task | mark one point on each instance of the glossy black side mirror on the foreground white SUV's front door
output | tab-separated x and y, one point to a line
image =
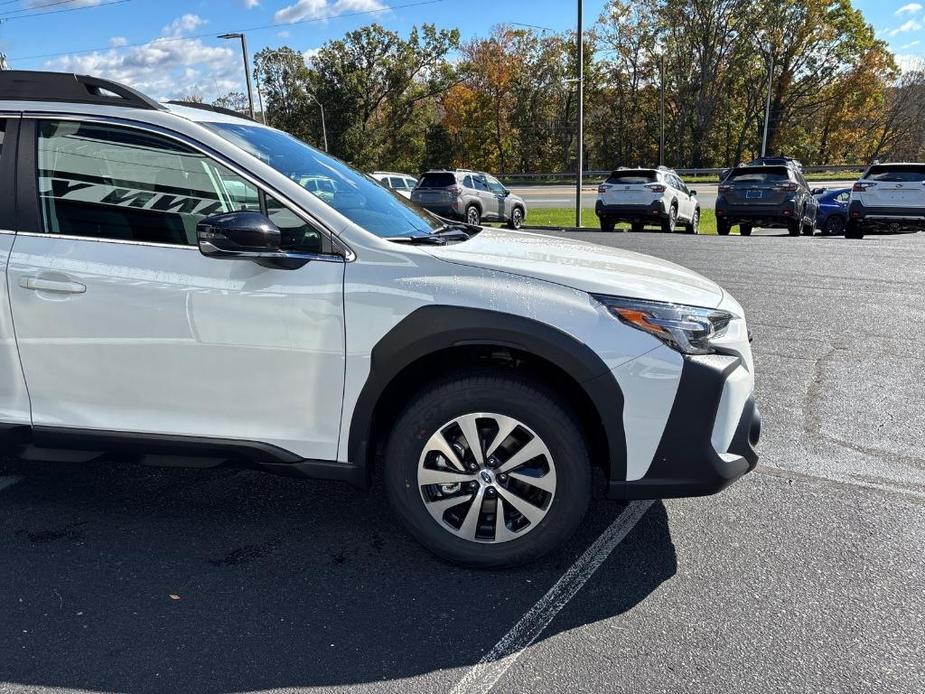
246	235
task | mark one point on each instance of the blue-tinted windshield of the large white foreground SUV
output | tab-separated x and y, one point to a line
356	196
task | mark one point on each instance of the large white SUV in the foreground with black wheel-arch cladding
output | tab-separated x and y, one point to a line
172	290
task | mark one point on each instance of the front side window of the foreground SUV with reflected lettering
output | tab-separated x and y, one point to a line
116	183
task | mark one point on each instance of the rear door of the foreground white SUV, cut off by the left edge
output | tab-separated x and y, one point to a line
14	400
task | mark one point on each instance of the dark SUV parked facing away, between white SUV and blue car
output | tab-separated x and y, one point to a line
776	197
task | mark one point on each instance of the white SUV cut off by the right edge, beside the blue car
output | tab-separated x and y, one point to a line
888	197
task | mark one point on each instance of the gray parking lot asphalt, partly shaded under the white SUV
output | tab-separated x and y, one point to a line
806	575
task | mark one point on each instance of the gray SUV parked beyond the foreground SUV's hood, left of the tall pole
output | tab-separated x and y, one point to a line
472	196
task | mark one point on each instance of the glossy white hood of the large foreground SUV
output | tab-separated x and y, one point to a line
584	266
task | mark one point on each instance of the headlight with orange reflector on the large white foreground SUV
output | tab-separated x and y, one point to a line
688	329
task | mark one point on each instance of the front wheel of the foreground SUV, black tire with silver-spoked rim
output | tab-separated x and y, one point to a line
432	416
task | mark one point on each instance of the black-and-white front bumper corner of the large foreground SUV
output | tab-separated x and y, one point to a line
710	437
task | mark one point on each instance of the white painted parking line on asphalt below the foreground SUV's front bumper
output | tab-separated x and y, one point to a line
486	673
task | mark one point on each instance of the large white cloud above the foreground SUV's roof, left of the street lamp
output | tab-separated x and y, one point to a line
167	67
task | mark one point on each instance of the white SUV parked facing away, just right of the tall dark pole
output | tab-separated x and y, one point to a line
647	197
